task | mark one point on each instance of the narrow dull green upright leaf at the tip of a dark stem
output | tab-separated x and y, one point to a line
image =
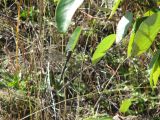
73	39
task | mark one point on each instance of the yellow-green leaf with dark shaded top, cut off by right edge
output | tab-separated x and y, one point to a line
155	69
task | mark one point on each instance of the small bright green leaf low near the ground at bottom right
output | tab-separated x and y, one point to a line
124	107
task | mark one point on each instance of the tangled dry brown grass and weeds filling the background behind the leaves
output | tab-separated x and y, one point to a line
32	56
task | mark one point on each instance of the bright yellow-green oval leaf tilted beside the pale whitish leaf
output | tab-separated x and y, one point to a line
102	48
